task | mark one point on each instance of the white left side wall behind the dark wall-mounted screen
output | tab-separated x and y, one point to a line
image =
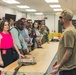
7	10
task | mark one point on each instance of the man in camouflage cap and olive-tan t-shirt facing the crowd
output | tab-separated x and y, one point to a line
66	55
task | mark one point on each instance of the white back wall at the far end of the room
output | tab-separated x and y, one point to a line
51	21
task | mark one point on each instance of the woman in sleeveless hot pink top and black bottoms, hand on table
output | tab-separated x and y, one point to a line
6	45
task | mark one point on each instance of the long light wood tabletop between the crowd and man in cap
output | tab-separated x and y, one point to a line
43	56
